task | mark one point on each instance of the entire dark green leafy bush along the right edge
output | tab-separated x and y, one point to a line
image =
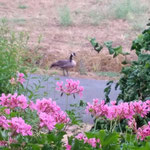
134	83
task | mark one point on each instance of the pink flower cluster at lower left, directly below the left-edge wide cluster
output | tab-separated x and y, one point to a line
18	125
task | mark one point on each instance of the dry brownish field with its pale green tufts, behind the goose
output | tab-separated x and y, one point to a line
66	25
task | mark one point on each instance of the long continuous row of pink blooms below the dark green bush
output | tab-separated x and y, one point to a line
120	111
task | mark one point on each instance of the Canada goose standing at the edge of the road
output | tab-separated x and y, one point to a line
65	64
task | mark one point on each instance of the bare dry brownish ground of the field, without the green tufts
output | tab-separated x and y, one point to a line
58	42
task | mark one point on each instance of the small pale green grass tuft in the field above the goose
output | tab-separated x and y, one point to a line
65	16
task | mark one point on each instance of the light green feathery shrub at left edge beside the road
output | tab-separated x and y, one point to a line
15	56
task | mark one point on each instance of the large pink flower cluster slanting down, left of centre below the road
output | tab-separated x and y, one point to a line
49	113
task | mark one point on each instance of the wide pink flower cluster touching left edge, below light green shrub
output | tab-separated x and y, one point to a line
12	101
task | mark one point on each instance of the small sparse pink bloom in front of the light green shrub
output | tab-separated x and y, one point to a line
20	79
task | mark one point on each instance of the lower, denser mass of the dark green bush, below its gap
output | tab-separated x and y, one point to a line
134	84
